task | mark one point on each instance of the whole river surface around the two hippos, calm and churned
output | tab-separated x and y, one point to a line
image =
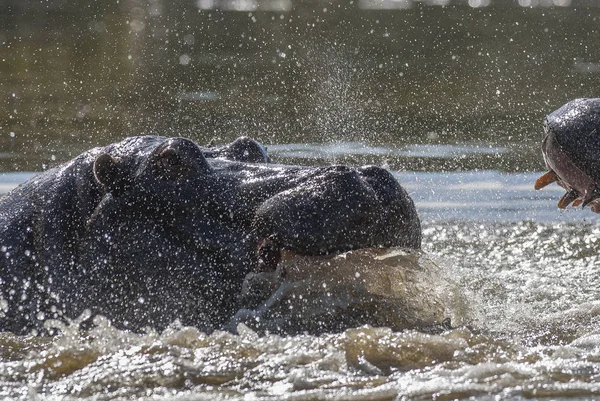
448	95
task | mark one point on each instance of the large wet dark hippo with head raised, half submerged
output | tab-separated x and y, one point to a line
154	230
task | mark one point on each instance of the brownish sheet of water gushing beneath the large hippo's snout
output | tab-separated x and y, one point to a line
396	288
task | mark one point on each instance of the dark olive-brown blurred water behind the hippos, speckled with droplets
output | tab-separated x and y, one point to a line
429	85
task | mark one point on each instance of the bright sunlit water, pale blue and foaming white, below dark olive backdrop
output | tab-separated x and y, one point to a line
530	326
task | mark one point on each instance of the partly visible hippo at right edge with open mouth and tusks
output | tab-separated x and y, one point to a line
571	150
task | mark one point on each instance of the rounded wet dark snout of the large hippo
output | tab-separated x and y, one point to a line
338	209
